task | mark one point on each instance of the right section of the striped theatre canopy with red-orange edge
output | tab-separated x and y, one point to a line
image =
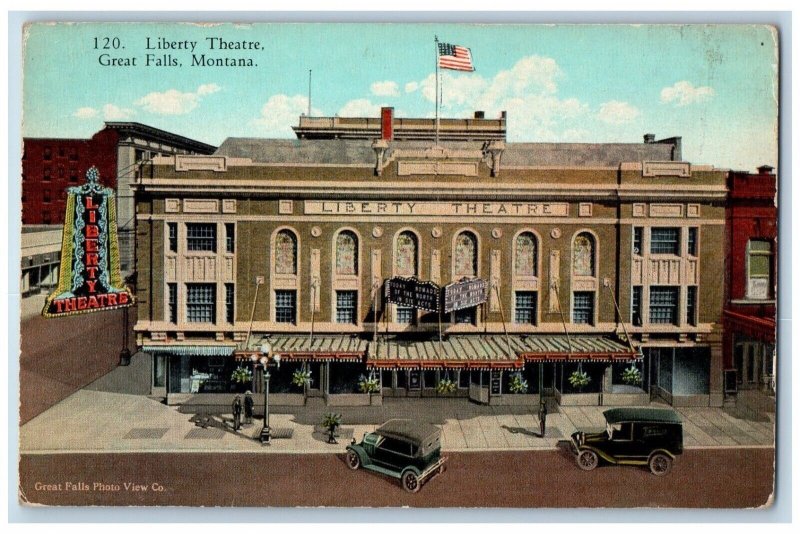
551	348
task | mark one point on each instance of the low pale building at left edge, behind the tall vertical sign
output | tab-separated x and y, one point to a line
40	255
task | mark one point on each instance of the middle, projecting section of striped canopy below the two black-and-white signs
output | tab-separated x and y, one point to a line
466	352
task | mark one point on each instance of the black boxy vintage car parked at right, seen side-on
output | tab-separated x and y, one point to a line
633	436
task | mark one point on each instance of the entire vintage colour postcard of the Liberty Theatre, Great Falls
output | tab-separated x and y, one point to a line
364	265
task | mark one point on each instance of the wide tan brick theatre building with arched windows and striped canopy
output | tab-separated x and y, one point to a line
591	273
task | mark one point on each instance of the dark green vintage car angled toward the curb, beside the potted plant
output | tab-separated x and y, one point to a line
400	448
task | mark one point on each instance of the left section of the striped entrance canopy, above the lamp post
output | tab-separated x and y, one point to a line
318	348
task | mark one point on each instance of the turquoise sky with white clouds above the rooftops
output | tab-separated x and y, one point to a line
716	86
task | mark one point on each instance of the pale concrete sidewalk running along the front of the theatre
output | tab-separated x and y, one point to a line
101	419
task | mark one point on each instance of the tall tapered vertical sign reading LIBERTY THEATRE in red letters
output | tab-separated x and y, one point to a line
89	278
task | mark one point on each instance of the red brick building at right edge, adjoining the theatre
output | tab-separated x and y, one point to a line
749	317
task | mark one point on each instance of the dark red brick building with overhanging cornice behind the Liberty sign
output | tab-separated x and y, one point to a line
50	166
